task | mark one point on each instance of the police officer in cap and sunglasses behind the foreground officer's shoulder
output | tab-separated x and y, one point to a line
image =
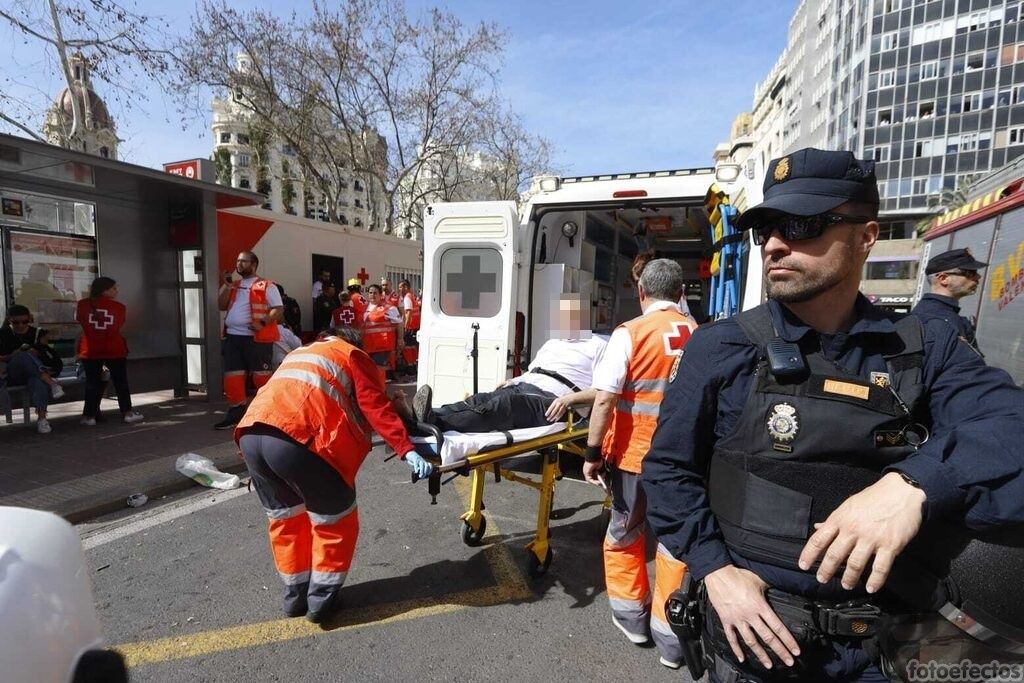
953	276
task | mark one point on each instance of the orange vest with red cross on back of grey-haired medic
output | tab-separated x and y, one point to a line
658	340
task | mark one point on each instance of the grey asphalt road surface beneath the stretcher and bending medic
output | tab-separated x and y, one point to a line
187	590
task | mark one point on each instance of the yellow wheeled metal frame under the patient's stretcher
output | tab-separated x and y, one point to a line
573	440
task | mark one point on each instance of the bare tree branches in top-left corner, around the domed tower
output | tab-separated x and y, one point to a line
120	44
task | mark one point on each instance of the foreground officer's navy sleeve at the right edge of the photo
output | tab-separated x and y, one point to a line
972	467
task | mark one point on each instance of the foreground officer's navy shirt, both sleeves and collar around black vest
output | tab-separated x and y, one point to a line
971	469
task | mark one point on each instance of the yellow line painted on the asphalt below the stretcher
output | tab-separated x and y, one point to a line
509	587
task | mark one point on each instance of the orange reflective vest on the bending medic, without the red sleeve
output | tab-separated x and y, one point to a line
312	399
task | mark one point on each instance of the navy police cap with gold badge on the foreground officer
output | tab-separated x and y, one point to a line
813	182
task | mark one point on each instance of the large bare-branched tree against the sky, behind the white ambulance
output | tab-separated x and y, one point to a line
364	92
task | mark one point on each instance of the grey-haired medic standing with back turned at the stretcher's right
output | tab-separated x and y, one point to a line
630	381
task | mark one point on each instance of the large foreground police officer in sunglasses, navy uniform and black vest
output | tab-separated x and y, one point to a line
802	445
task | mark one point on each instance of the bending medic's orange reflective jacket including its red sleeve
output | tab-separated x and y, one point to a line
316	398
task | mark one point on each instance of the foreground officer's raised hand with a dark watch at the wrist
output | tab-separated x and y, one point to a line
877	523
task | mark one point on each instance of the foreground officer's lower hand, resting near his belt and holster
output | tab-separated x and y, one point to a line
739	597
